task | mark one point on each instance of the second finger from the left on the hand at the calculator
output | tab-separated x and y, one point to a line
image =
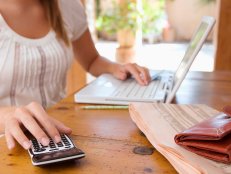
16	132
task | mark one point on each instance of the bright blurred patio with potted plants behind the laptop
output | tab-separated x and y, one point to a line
152	33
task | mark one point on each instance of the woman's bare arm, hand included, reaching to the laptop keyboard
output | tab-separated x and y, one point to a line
91	61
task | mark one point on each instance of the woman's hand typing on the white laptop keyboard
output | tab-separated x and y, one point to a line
141	74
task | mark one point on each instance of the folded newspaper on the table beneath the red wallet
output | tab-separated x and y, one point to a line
161	122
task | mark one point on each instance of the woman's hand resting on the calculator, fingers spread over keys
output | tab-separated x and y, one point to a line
33	118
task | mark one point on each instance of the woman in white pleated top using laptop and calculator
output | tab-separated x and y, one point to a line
37	42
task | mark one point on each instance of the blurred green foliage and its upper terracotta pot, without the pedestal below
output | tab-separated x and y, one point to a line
121	19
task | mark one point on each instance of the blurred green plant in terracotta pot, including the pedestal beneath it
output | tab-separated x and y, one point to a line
124	20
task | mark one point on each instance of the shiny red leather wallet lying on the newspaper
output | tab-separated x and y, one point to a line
210	138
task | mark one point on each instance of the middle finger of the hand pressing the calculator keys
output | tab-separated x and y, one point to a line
25	117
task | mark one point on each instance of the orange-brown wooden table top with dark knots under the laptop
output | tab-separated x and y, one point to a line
108	137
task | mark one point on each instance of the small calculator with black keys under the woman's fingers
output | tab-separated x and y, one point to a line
54	152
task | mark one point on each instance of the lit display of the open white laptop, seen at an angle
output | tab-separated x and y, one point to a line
196	39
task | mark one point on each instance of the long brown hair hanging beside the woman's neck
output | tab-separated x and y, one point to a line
55	19
